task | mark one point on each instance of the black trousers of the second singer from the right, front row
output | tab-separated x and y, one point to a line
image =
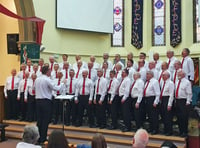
166	115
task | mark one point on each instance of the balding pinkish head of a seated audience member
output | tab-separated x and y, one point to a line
140	139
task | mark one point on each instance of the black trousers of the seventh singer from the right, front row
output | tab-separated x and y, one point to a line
100	112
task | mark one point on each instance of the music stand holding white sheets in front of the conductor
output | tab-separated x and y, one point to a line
64	98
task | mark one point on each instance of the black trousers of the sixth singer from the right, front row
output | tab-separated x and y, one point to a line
115	110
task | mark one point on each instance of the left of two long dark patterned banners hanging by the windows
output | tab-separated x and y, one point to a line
137	22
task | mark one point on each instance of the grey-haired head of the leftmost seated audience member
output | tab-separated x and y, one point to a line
31	134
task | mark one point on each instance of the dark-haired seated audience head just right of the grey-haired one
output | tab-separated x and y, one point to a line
57	140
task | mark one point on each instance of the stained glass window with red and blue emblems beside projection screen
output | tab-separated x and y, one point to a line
117	38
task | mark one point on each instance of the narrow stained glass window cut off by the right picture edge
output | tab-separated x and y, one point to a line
196	5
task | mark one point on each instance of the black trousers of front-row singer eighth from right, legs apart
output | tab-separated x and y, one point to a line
82	105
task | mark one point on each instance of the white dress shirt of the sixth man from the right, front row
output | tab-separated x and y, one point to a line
113	88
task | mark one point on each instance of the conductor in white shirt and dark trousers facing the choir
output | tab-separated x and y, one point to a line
43	91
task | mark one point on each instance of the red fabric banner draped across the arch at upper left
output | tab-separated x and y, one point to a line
39	22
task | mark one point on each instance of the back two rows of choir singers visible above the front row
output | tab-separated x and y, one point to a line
156	65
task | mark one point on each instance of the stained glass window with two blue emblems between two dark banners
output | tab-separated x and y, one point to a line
158	22
